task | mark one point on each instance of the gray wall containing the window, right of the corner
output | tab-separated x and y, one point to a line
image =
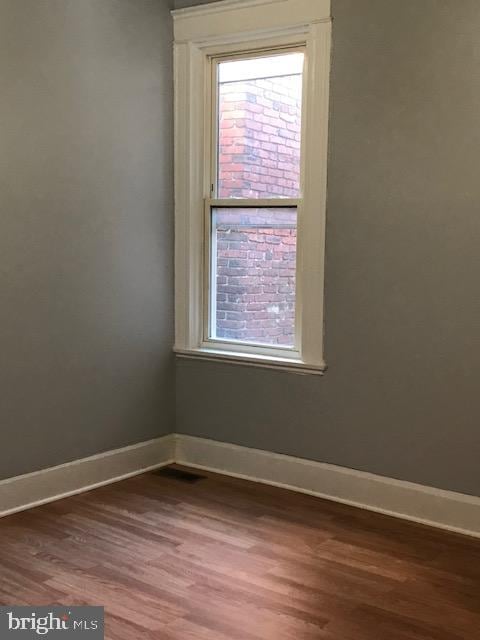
401	395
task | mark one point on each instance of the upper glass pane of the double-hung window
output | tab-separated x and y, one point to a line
259	122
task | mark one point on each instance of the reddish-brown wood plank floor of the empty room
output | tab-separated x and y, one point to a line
225	559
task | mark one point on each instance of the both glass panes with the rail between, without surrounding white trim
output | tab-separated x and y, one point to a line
256	143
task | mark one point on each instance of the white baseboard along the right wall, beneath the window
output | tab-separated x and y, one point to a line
426	505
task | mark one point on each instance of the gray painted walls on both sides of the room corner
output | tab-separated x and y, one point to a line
86	246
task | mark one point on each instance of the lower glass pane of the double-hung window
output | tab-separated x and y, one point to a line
253	275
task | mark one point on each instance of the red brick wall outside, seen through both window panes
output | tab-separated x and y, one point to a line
259	151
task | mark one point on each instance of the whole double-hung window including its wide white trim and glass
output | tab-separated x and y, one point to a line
251	108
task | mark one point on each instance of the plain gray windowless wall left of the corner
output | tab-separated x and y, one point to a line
85	228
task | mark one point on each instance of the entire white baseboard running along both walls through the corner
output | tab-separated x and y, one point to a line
426	505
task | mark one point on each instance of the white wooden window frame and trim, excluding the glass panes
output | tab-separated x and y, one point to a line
243	27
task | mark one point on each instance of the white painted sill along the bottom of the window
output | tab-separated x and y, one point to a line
266	362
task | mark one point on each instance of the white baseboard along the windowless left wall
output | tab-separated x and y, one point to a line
33	489
